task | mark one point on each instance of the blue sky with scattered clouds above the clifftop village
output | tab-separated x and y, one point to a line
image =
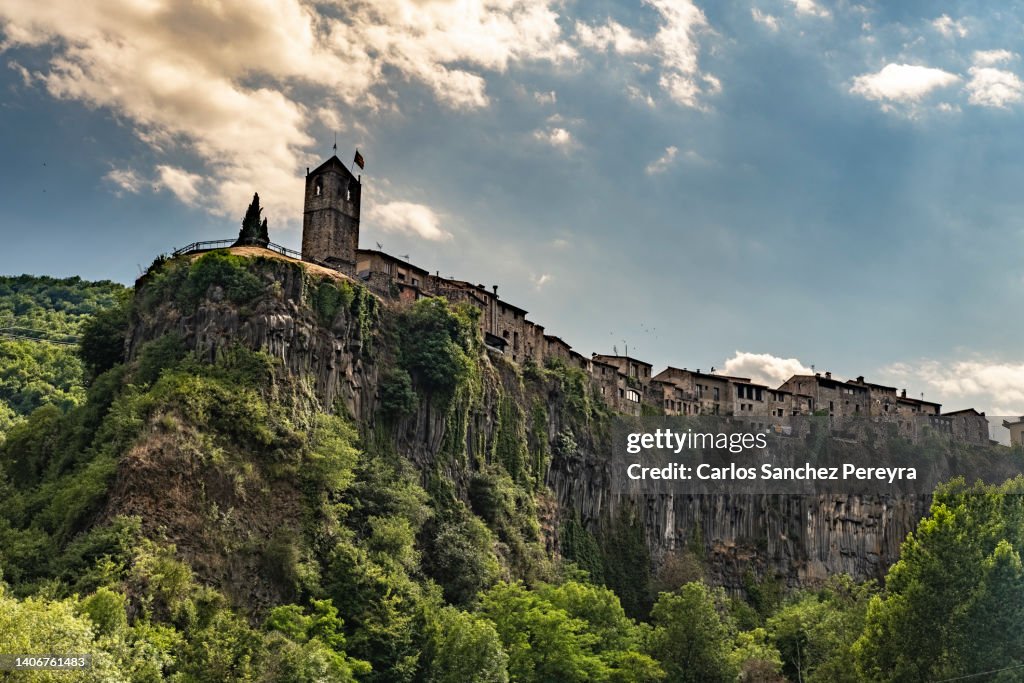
760	188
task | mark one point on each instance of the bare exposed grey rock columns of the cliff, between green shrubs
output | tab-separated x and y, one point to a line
795	540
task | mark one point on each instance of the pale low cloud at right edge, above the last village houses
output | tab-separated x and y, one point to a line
994	387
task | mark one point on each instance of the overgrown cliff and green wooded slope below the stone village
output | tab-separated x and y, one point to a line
274	476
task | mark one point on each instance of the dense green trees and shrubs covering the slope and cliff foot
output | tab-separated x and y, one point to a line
340	559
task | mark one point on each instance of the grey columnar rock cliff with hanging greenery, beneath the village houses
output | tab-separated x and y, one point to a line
550	418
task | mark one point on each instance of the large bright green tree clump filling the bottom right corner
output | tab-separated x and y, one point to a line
952	605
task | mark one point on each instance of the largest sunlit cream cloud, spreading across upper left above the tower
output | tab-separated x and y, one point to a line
232	83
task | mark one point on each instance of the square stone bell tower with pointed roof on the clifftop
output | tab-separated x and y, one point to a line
331	218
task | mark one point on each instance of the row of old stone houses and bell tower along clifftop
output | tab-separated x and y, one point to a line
331	236
